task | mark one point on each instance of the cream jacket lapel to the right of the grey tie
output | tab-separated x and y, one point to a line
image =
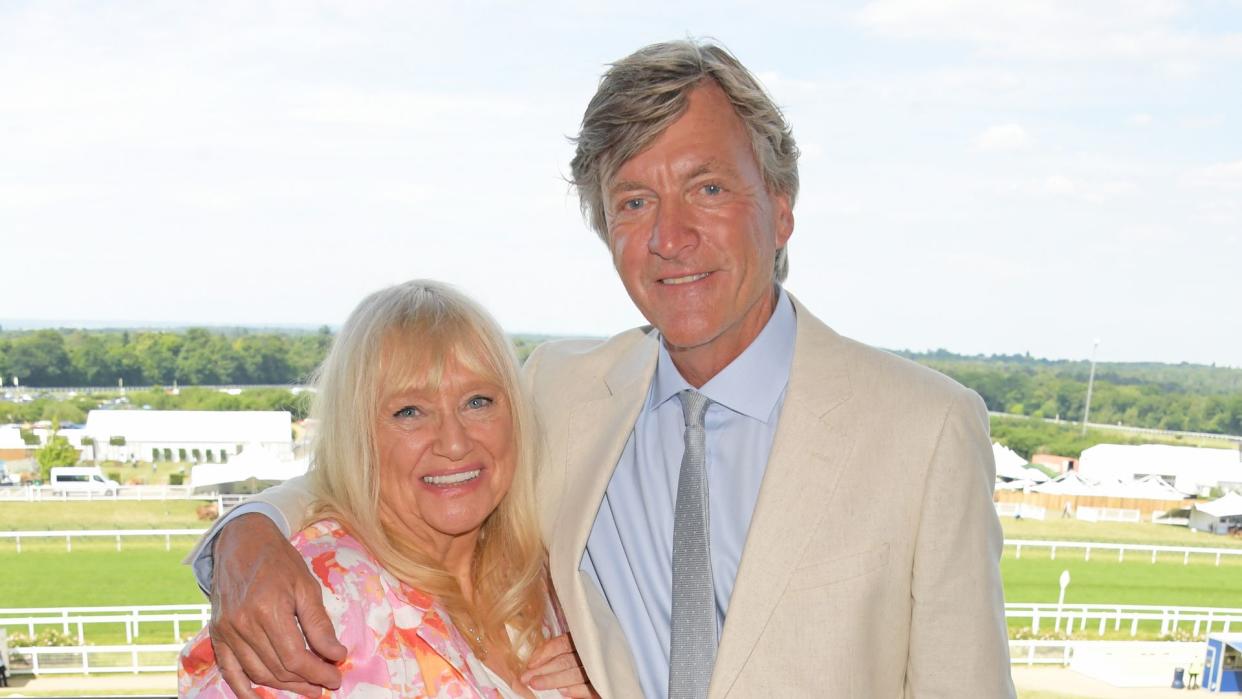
809	451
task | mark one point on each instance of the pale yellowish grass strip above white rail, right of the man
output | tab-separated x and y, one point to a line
1113	532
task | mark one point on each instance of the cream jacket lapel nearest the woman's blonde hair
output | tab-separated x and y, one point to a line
598	429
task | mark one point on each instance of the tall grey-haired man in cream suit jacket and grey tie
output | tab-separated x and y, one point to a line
738	502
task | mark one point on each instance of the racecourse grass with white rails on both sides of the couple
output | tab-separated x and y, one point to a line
95	574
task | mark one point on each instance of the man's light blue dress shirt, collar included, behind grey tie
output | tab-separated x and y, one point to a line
630	551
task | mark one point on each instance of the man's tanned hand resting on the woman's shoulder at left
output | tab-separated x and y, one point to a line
261	587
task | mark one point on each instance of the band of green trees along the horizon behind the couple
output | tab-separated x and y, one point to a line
1166	397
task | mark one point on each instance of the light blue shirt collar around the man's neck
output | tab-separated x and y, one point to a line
751	384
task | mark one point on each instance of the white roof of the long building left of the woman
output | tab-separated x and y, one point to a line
238	428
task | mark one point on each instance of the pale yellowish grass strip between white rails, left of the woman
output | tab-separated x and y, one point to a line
120	515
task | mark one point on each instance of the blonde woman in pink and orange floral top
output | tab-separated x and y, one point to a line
427	544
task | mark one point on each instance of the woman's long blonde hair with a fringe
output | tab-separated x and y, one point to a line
404	336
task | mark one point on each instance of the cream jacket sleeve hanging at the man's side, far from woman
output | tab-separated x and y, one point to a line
958	634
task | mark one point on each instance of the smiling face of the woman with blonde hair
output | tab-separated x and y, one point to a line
446	456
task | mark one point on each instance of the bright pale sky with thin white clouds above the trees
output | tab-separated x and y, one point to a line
1019	177
